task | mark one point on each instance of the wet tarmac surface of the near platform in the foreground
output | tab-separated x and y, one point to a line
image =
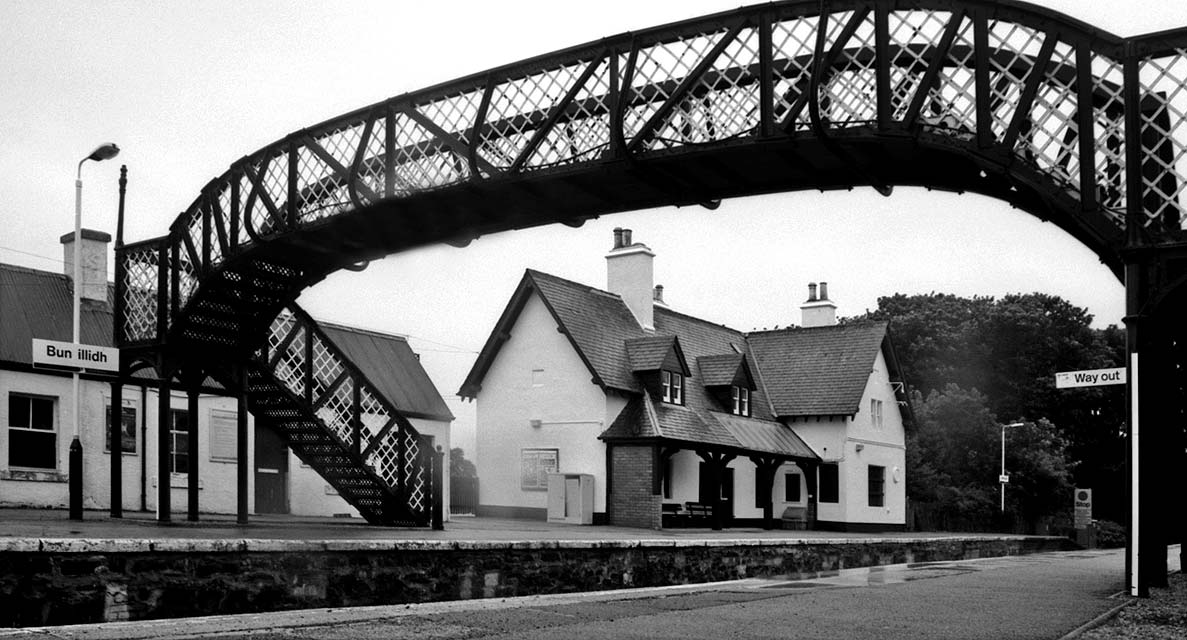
1042	597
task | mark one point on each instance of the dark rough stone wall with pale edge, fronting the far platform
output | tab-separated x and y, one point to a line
62	582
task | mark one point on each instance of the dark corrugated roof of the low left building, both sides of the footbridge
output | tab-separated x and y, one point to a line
40	305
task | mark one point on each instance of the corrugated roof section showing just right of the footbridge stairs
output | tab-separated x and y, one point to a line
396	371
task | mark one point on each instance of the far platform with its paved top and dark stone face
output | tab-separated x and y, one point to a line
60	572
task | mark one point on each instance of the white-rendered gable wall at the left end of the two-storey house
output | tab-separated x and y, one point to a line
538	376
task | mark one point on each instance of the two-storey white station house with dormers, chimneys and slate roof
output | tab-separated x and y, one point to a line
610	407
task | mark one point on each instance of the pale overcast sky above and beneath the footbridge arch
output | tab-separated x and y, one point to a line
188	88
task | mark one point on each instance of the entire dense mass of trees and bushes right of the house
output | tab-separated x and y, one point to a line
974	364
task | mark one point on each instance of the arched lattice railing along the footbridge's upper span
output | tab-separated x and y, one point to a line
645	92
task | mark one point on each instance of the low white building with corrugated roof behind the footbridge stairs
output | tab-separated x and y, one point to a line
36	410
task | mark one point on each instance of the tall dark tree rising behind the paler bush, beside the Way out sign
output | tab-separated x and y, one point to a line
1011	350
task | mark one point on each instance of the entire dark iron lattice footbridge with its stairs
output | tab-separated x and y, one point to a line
1056	117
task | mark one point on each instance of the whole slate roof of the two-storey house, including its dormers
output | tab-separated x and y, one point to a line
807	372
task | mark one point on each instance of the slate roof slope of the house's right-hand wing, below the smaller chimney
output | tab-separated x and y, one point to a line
820	371
